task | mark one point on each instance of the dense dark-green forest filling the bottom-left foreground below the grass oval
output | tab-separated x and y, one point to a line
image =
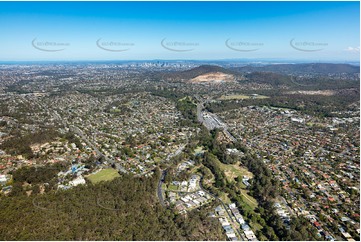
124	209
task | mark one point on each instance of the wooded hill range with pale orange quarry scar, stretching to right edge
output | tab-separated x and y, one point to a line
275	75
